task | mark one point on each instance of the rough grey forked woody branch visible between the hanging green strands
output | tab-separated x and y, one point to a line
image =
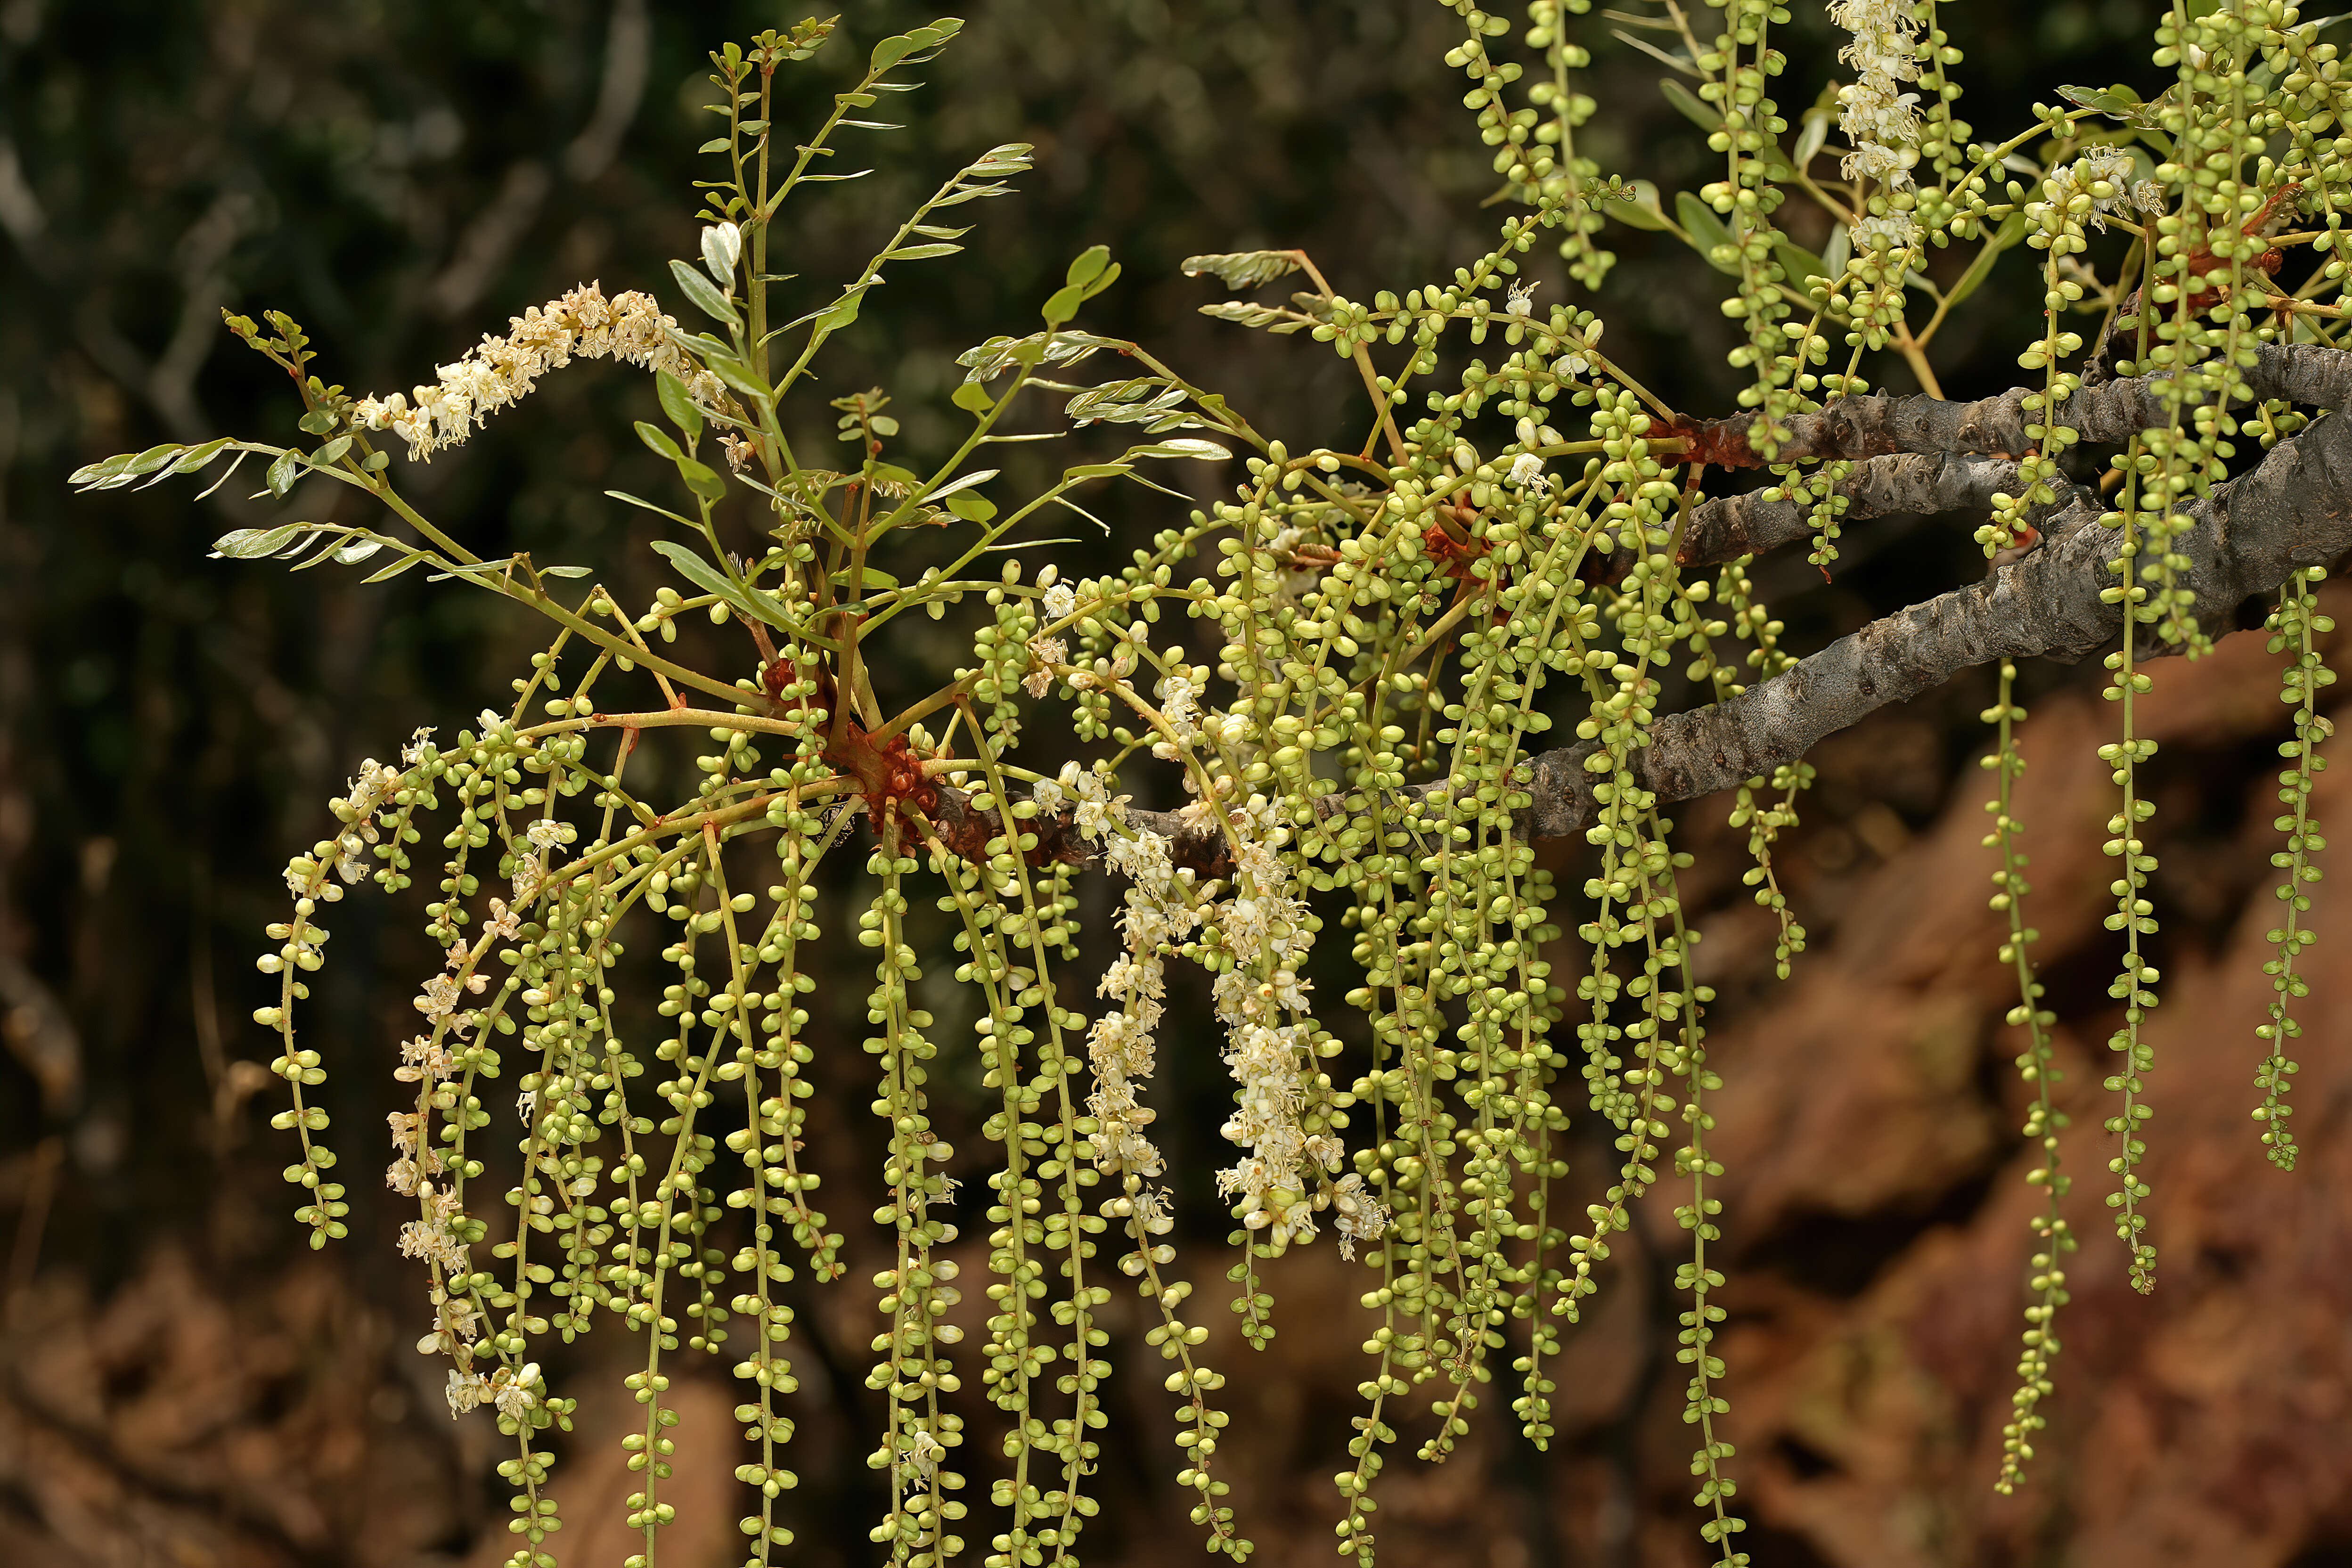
2287	514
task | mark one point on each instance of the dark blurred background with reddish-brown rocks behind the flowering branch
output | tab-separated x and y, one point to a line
185	1383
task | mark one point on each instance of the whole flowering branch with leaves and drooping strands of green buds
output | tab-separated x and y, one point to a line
1368	685
